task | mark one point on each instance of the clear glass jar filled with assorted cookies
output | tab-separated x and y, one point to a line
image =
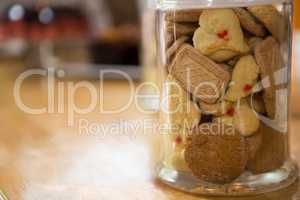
225	95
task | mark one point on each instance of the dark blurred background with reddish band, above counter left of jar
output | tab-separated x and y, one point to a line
78	36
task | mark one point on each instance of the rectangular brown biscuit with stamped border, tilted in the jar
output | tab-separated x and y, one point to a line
198	74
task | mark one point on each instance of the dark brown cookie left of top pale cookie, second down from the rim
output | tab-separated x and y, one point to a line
178	29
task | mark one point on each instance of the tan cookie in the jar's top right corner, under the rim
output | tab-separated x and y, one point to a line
272	19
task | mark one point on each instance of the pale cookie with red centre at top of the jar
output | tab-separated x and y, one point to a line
220	35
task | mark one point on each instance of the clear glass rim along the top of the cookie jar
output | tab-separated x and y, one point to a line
183	4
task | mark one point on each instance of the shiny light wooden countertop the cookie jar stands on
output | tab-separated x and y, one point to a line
42	158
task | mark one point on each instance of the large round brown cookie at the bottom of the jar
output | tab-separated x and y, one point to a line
216	155
